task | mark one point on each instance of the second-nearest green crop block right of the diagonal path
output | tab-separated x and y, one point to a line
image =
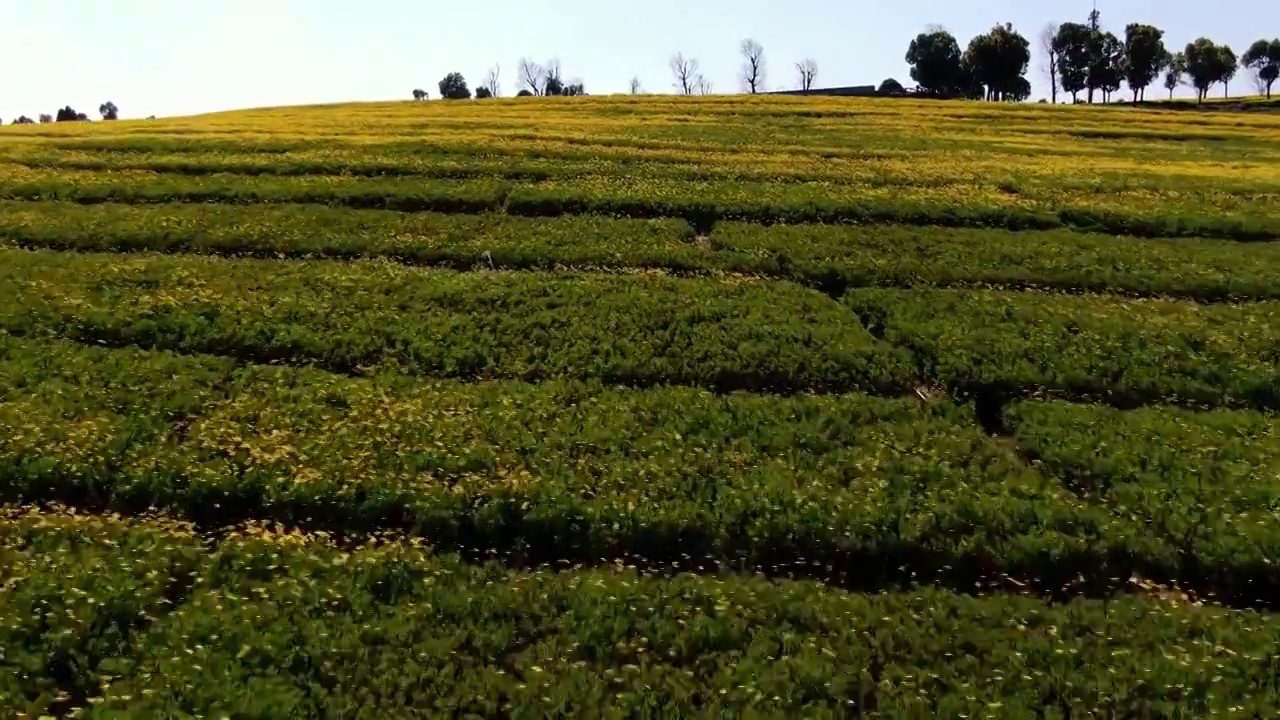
1000	345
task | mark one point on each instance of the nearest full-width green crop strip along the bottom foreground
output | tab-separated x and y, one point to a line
281	626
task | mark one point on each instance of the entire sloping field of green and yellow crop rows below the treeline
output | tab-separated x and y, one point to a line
642	408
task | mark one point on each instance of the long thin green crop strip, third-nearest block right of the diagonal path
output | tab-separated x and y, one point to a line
843	257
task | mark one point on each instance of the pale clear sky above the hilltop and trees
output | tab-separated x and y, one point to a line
186	57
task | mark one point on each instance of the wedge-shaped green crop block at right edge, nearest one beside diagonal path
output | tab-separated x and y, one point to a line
1209	484
